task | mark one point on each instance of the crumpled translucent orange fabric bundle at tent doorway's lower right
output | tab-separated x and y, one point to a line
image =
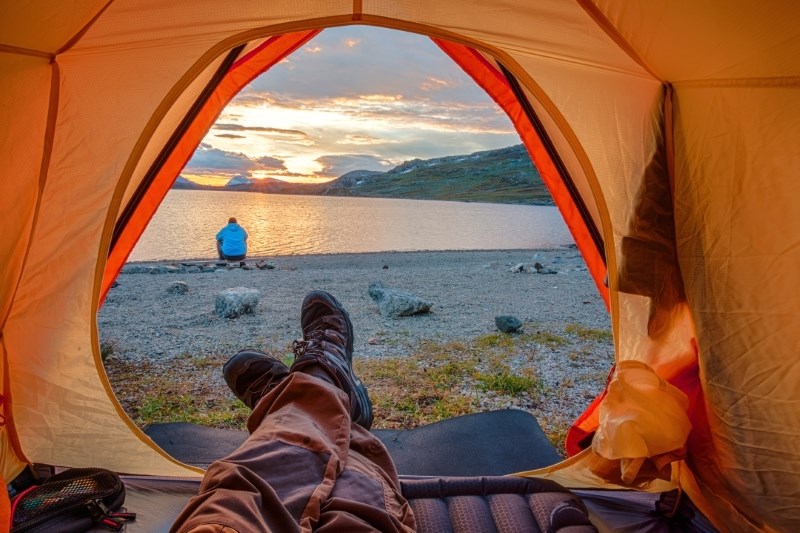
643	426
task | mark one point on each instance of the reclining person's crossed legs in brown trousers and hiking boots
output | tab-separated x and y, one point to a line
306	463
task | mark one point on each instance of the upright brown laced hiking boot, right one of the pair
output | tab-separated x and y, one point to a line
326	351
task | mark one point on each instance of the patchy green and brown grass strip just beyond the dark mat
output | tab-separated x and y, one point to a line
438	380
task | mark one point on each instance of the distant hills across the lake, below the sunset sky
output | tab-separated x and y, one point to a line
498	176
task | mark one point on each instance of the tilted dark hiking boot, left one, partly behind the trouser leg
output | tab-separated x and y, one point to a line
251	374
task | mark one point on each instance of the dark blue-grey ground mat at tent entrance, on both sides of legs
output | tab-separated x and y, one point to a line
482	444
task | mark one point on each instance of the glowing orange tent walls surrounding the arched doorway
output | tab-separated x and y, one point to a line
676	122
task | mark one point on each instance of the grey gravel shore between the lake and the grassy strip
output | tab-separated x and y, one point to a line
141	322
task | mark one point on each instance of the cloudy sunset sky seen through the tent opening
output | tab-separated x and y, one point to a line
352	98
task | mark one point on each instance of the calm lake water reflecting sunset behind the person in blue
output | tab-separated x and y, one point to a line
185	225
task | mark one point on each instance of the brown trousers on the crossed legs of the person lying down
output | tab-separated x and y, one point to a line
305	466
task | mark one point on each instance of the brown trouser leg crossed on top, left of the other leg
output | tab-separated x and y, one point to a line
279	477
